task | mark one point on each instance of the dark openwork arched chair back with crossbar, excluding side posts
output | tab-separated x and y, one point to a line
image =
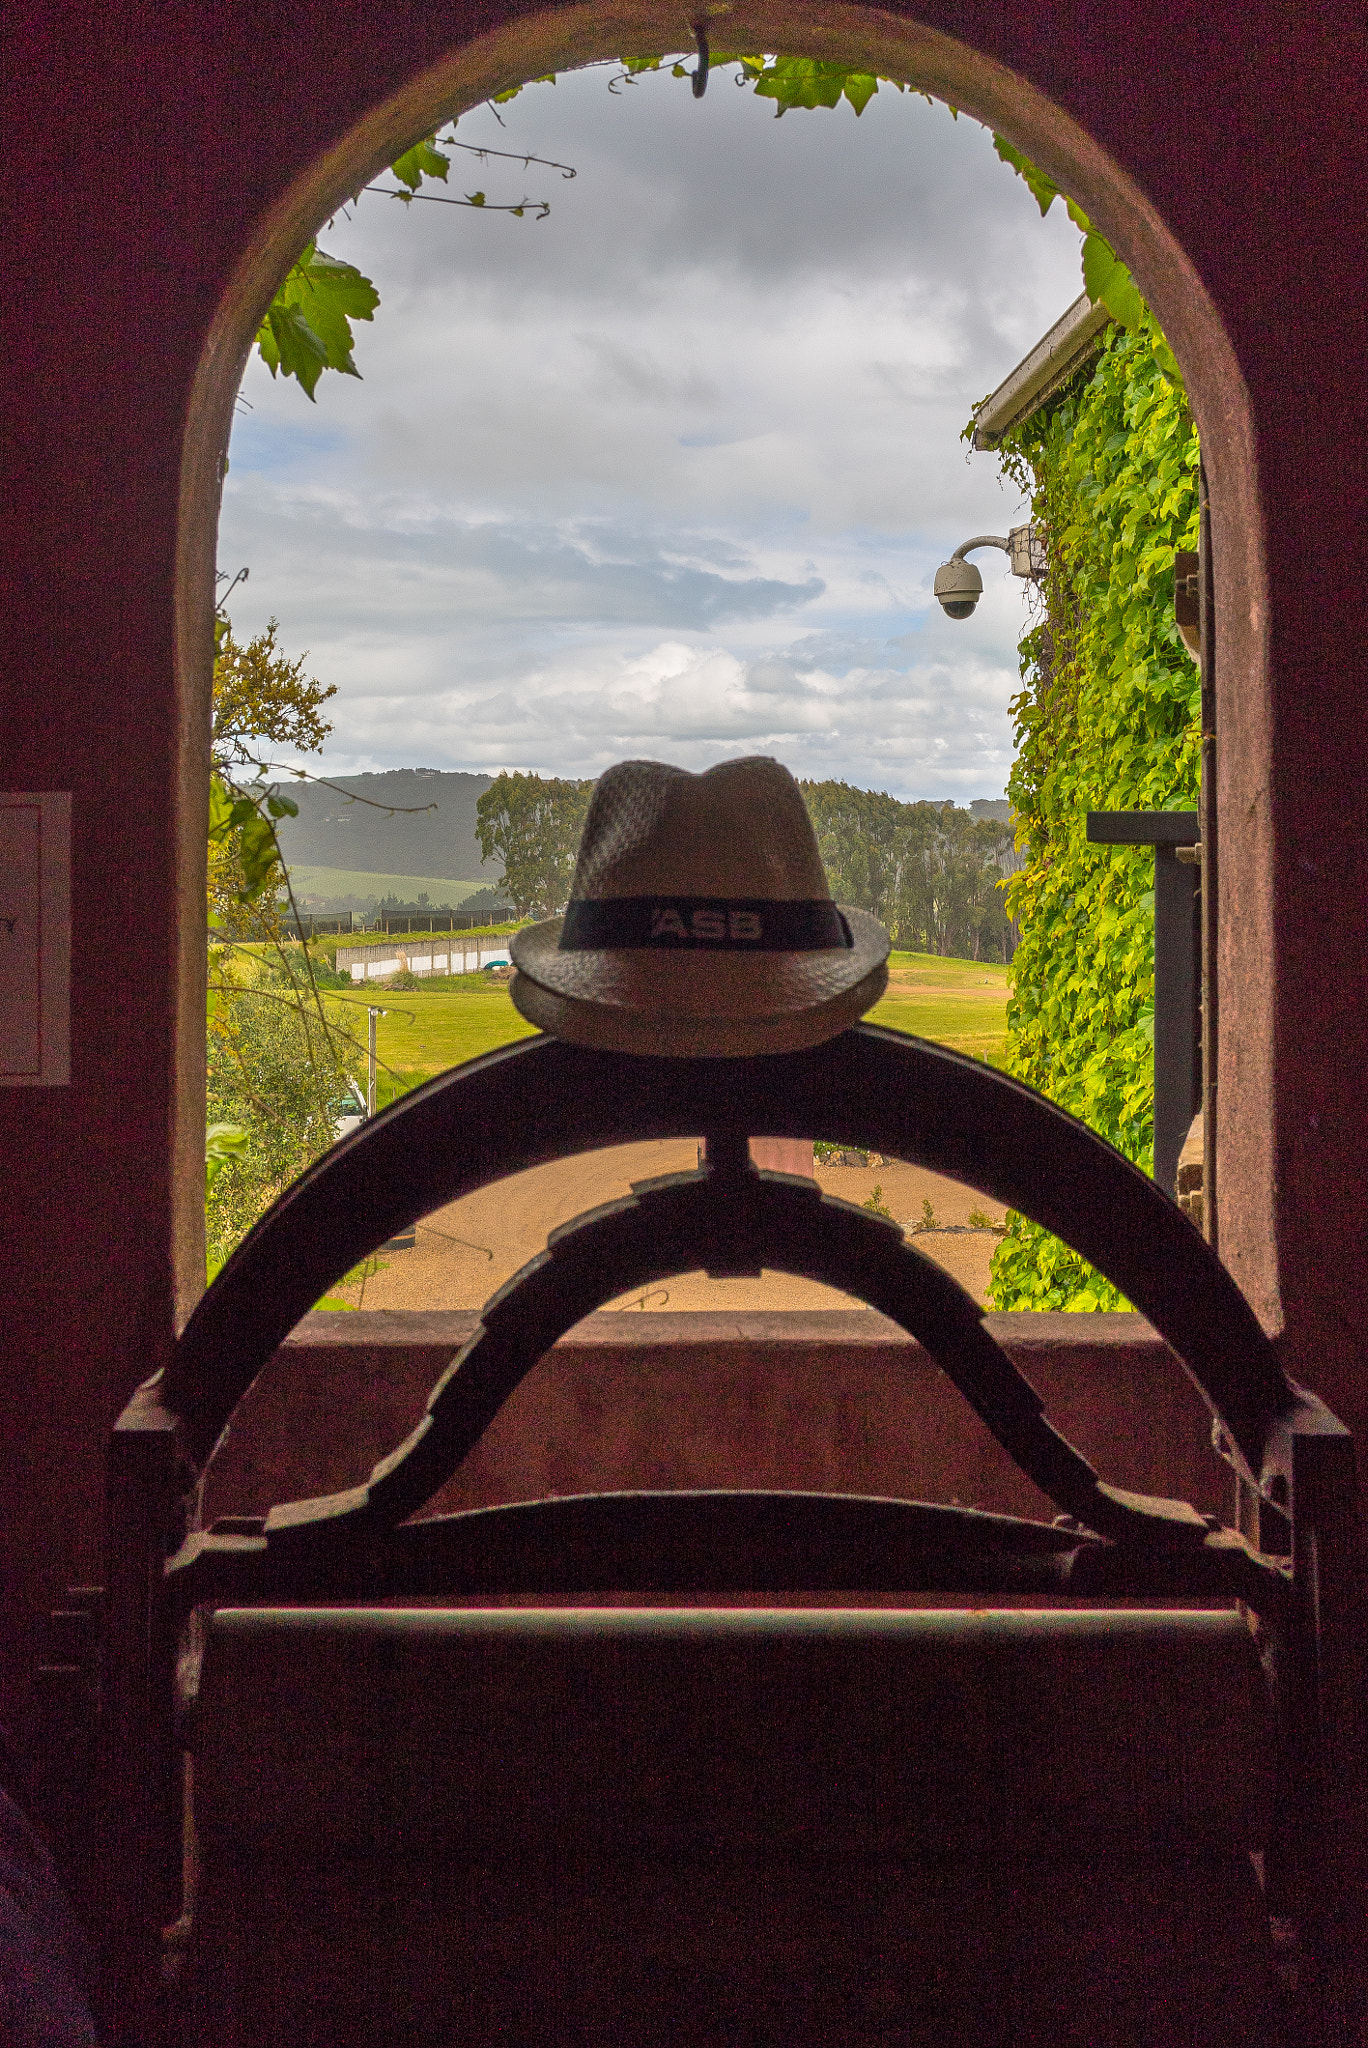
548	1101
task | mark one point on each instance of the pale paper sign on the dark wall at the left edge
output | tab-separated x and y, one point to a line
36	939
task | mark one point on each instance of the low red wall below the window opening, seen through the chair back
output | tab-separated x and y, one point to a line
828	1402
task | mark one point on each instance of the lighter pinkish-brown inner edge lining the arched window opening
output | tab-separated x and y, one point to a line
988	91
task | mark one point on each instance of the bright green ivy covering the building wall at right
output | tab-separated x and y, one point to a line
1107	722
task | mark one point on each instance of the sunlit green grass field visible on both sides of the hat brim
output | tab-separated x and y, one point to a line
454	1019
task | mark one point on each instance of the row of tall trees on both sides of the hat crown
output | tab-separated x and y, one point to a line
929	871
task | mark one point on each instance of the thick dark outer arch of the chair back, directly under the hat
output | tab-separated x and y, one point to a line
544	1101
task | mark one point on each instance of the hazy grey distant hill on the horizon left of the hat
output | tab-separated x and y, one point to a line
435	843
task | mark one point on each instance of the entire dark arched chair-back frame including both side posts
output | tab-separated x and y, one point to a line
546	1101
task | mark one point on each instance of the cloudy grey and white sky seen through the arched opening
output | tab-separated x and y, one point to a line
667	474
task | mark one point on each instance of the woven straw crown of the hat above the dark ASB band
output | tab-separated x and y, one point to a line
736	830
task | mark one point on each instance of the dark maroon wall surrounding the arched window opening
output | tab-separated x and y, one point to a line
142	151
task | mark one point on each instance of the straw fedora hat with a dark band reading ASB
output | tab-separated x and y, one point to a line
699	923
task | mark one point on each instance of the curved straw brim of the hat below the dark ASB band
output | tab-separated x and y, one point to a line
697	1002
